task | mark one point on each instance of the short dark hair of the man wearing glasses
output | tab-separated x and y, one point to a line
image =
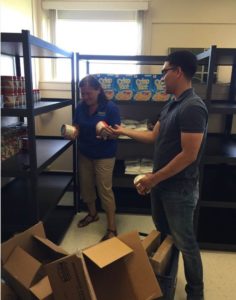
184	59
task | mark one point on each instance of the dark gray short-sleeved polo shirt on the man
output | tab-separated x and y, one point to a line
187	113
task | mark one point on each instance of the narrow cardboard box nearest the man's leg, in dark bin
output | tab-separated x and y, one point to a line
161	259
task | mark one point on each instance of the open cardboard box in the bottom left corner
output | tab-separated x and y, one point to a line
23	259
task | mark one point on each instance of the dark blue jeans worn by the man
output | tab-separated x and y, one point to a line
172	213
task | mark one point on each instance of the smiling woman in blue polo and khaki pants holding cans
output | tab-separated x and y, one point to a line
96	154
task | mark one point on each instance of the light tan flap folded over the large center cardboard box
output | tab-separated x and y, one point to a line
107	252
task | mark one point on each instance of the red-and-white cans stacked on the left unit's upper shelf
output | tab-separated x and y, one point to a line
13	91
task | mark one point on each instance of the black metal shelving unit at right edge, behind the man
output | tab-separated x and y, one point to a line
217	208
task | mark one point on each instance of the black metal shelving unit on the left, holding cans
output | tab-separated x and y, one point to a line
33	193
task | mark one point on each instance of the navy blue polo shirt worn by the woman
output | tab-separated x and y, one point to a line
89	145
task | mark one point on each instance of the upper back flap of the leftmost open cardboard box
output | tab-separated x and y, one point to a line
24	240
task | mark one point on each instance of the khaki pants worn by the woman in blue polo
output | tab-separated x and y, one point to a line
97	173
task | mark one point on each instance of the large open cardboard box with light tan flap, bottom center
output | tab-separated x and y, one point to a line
116	269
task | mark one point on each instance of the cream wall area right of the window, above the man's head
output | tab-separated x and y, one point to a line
189	23
